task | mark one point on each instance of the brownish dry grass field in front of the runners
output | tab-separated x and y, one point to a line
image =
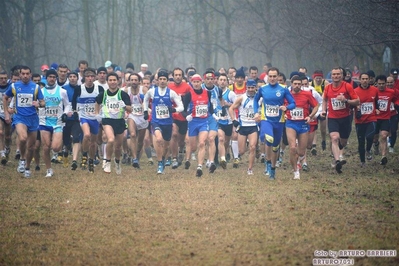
228	218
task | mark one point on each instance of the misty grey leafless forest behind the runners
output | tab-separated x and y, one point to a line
317	34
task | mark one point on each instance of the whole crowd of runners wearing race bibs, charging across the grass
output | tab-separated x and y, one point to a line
105	116
